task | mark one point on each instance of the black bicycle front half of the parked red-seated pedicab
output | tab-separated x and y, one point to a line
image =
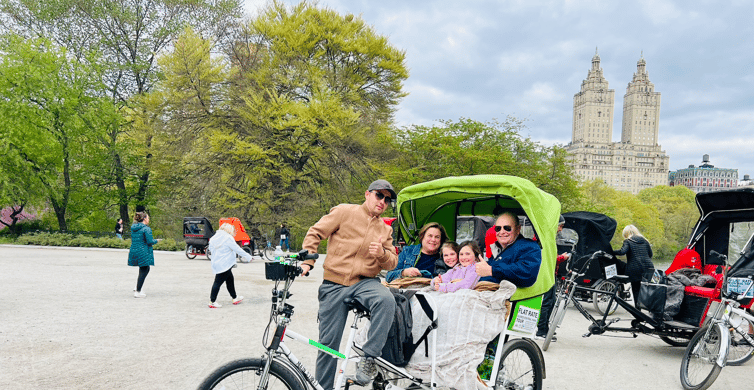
674	333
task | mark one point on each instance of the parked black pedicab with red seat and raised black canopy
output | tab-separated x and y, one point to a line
725	225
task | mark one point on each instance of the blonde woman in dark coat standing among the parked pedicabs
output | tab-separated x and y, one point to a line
638	253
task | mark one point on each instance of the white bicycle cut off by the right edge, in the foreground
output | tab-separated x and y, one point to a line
727	339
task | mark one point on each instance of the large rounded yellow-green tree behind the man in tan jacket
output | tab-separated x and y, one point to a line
310	91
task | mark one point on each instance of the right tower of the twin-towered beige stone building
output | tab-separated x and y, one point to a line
641	109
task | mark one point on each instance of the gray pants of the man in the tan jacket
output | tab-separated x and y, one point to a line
333	315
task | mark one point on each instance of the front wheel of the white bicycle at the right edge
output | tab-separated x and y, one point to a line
698	366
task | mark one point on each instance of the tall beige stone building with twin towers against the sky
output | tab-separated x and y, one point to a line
637	161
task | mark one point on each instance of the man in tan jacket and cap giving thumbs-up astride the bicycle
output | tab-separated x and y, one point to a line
359	246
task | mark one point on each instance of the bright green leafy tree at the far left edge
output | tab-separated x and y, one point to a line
47	112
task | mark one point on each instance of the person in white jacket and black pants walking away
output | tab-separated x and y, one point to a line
224	249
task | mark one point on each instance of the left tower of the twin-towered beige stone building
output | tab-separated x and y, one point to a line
593	107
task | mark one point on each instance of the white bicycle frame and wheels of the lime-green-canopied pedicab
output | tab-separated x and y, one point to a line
278	367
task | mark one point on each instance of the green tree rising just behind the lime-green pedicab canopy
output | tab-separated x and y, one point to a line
469	147
